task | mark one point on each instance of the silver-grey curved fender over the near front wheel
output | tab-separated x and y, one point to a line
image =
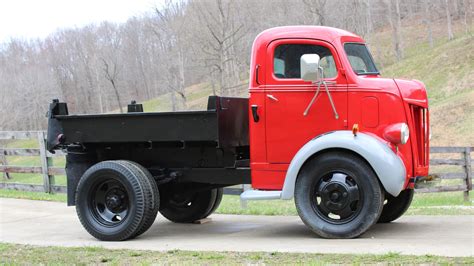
386	164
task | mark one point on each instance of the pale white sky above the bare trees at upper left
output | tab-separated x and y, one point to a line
38	18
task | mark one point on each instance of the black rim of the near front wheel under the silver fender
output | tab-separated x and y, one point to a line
336	197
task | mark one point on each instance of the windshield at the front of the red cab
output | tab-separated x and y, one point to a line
360	59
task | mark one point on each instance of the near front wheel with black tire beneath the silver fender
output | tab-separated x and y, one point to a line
338	195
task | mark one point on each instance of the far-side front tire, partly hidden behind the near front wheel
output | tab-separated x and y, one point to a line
395	207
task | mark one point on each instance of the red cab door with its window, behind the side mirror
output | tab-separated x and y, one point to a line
287	97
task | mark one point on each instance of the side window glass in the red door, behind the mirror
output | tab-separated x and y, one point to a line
286	60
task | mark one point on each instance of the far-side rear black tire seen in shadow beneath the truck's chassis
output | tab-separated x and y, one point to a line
187	208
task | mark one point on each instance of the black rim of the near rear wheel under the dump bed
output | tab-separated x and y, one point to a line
109	201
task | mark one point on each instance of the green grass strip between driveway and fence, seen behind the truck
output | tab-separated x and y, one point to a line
448	203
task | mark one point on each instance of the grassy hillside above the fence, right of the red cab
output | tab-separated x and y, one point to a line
447	70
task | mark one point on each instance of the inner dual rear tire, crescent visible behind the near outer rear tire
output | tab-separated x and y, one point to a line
152	211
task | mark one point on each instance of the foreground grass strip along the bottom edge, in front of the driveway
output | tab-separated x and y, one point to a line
12	254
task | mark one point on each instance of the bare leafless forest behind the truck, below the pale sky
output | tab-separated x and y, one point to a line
100	68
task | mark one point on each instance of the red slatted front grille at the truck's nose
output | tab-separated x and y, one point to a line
421	134
